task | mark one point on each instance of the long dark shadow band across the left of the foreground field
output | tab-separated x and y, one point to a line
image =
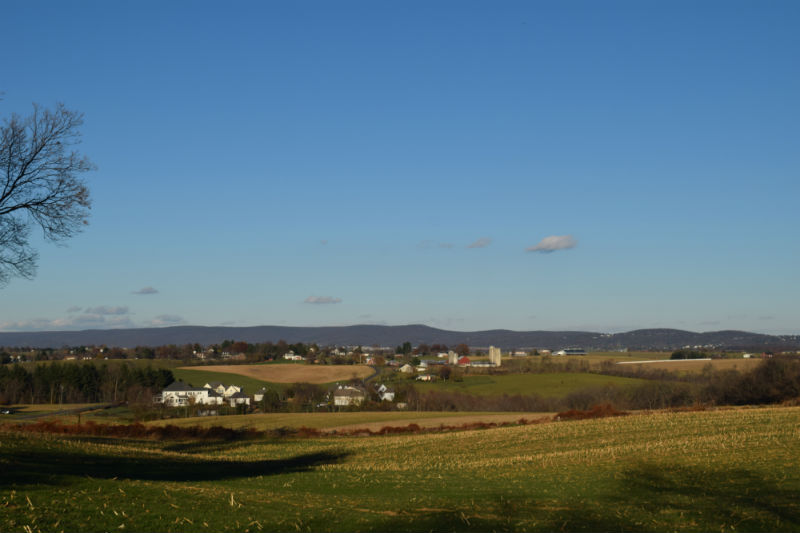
26	467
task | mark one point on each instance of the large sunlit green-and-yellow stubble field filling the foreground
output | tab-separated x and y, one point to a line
724	470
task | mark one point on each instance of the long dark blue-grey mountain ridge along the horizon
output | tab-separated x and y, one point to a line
369	335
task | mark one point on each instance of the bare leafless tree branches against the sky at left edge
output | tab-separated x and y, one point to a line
40	185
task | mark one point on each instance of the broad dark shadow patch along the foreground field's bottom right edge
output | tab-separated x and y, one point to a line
644	497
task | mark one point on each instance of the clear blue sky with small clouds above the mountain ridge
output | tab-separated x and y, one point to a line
335	163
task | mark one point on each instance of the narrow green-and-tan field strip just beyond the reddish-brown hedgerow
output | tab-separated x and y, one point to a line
372	420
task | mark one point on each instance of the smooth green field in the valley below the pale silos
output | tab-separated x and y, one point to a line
554	385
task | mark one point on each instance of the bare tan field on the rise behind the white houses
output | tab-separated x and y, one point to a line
289	373
